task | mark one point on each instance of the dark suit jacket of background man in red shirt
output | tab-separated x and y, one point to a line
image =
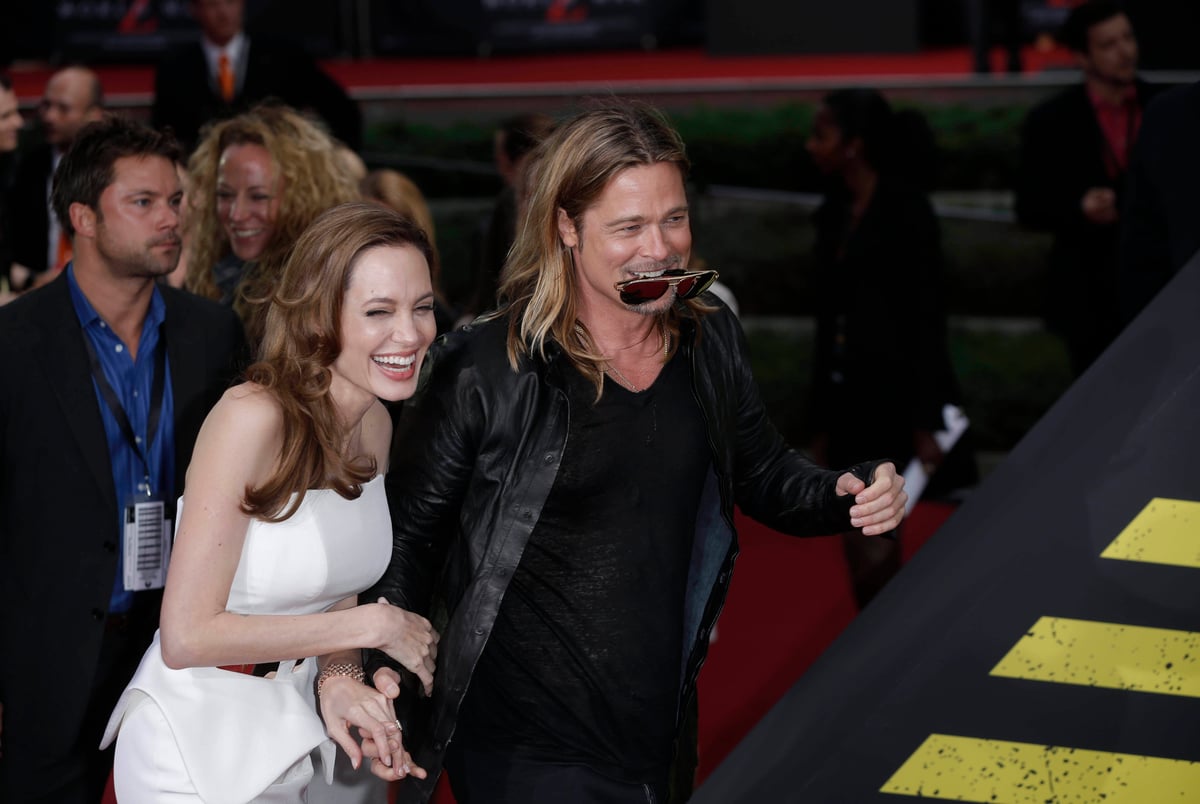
1063	157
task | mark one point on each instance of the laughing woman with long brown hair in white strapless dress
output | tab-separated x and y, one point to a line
284	523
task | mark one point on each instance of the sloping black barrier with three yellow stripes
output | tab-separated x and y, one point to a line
1045	645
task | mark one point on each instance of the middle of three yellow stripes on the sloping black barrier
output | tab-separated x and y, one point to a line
1107	655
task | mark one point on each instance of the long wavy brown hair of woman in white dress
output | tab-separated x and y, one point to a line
302	340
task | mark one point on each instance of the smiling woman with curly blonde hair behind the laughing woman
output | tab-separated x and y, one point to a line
259	181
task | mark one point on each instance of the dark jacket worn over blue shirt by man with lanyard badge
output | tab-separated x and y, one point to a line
59	512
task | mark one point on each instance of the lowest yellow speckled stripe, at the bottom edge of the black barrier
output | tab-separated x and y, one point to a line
970	770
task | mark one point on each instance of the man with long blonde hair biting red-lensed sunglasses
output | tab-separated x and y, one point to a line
568	481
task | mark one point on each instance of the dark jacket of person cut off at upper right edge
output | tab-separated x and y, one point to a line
1161	223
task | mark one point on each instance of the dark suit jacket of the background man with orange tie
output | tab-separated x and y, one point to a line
185	97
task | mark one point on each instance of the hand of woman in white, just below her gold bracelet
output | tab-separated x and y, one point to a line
346	704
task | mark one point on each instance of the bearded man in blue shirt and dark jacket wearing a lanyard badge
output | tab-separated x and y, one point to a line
109	377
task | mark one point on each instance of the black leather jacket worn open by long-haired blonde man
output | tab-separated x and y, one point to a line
476	458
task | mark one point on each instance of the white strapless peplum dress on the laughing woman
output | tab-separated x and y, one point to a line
211	735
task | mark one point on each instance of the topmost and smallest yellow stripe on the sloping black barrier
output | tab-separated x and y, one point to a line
1166	532
